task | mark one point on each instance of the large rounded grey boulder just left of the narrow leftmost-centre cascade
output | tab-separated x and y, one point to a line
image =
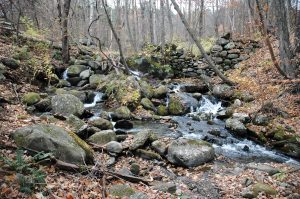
66	105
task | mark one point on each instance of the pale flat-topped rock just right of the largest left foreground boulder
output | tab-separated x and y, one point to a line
103	137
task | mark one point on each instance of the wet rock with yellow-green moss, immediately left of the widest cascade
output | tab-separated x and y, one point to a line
181	103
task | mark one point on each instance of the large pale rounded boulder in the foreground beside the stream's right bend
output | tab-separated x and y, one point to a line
190	153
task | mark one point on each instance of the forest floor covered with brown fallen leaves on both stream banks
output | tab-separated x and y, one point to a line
221	179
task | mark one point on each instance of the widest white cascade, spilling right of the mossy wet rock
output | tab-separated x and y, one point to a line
208	107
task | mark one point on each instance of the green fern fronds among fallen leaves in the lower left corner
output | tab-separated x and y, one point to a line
28	177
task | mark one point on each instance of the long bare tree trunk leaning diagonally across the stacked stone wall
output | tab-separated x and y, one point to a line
207	58
